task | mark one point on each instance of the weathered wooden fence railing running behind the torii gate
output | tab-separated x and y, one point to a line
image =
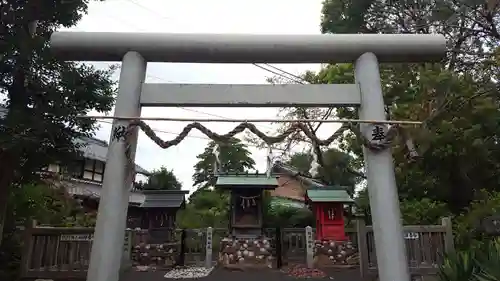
64	253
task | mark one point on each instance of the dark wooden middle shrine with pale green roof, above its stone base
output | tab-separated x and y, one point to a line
246	202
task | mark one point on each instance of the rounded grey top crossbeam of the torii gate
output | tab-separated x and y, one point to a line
240	48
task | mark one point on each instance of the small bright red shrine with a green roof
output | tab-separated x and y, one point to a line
327	204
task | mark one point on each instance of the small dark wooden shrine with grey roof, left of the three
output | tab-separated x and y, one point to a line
159	209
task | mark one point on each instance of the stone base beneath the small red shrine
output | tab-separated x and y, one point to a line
330	253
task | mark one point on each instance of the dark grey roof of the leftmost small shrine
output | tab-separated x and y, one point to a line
164	198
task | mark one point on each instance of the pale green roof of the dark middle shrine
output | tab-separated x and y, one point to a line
247	181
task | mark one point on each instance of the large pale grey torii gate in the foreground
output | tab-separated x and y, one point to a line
134	50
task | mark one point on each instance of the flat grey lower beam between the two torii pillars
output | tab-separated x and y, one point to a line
222	95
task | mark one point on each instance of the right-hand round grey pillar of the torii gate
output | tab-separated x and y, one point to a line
380	177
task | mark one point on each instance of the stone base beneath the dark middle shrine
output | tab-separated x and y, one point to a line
245	254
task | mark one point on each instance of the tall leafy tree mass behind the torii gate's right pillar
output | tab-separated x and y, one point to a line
458	100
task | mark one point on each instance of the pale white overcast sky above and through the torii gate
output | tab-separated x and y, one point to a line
200	16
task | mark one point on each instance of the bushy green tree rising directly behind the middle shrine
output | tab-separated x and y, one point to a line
234	158
